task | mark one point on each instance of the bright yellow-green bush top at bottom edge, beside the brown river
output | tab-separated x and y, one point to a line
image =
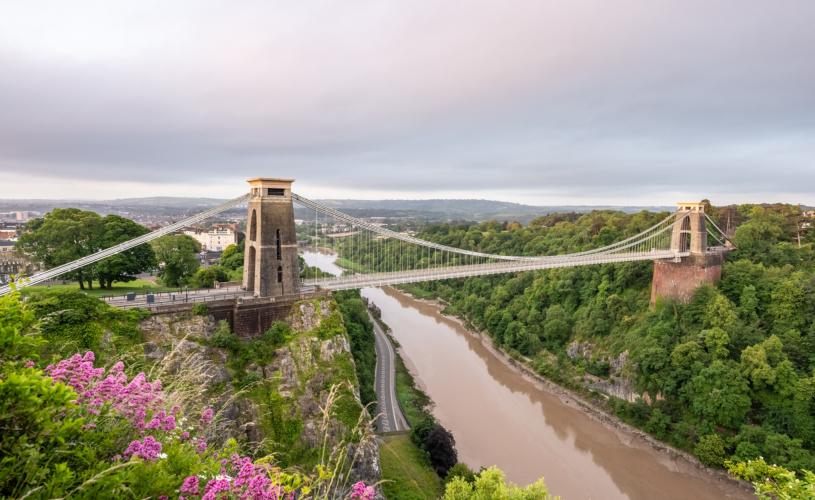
491	484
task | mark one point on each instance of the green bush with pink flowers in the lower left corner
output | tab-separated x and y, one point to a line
78	430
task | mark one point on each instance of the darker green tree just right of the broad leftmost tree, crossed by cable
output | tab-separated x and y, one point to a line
123	266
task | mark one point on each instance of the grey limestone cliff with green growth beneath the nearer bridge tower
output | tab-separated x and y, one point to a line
292	392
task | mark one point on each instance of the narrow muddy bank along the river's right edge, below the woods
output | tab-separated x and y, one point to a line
589	408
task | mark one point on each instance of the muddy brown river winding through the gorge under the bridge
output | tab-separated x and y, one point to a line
499	417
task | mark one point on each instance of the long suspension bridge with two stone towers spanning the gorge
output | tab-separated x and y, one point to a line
379	256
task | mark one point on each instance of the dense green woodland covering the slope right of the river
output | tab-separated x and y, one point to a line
731	375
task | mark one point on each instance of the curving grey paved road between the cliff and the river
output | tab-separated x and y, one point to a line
390	414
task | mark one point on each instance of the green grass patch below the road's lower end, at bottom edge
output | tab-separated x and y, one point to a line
405	472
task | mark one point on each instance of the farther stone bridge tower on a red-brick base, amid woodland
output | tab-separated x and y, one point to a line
678	279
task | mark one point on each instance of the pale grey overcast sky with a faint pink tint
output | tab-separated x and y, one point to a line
536	101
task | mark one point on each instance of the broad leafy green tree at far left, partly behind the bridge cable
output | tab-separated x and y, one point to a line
62	236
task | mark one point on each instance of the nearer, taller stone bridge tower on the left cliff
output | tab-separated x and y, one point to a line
270	266
